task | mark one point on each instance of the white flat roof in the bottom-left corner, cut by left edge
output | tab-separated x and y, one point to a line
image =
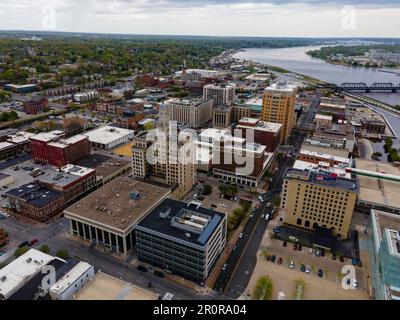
14	275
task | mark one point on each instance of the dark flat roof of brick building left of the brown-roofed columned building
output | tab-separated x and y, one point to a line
35	194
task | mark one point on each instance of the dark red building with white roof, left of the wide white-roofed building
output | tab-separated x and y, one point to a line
54	149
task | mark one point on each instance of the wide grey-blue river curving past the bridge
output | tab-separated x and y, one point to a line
296	60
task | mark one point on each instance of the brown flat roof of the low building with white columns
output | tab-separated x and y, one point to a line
114	204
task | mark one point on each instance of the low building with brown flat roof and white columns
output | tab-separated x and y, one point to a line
108	216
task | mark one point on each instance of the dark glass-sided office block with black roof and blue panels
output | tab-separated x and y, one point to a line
182	238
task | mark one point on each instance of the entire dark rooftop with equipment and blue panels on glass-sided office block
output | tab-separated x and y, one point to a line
188	222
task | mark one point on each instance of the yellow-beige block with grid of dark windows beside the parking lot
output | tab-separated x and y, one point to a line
311	199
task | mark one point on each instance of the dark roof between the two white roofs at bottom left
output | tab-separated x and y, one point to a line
29	290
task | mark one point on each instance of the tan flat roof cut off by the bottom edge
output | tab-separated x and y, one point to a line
106	287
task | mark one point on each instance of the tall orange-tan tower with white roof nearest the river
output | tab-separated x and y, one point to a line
278	106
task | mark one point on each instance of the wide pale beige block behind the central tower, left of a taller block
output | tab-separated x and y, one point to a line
193	113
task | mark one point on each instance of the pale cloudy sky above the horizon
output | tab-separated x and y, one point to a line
310	18
